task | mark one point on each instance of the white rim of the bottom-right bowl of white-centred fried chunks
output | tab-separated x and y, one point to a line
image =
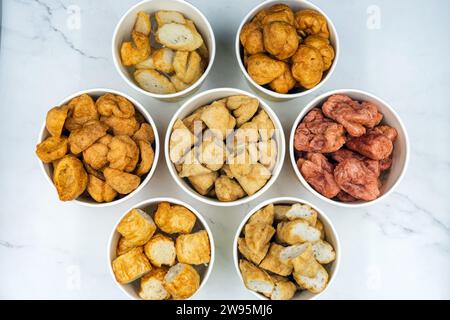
278	200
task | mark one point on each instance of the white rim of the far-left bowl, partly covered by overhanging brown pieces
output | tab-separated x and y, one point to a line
148	118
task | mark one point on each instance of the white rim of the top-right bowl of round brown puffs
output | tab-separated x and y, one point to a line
287	96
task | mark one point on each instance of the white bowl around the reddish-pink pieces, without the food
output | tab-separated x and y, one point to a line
400	153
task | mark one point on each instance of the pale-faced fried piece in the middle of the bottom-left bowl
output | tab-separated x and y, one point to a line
160	250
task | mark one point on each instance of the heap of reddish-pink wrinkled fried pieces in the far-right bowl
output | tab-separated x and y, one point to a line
343	150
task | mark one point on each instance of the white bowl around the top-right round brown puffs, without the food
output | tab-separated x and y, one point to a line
295	5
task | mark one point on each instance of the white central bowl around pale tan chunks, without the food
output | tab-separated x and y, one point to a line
206	98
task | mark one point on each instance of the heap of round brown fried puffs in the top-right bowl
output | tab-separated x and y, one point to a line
285	50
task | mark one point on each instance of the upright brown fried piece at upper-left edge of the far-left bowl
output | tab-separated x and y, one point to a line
82	110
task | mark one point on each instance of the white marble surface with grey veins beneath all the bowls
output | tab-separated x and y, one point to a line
397	249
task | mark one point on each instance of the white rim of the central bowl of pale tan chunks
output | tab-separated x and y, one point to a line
280	144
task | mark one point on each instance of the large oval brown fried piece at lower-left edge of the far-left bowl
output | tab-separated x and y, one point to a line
70	178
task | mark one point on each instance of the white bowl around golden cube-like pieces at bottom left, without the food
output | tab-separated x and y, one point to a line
149	206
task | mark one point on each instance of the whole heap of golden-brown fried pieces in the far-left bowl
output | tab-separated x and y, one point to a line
101	147
